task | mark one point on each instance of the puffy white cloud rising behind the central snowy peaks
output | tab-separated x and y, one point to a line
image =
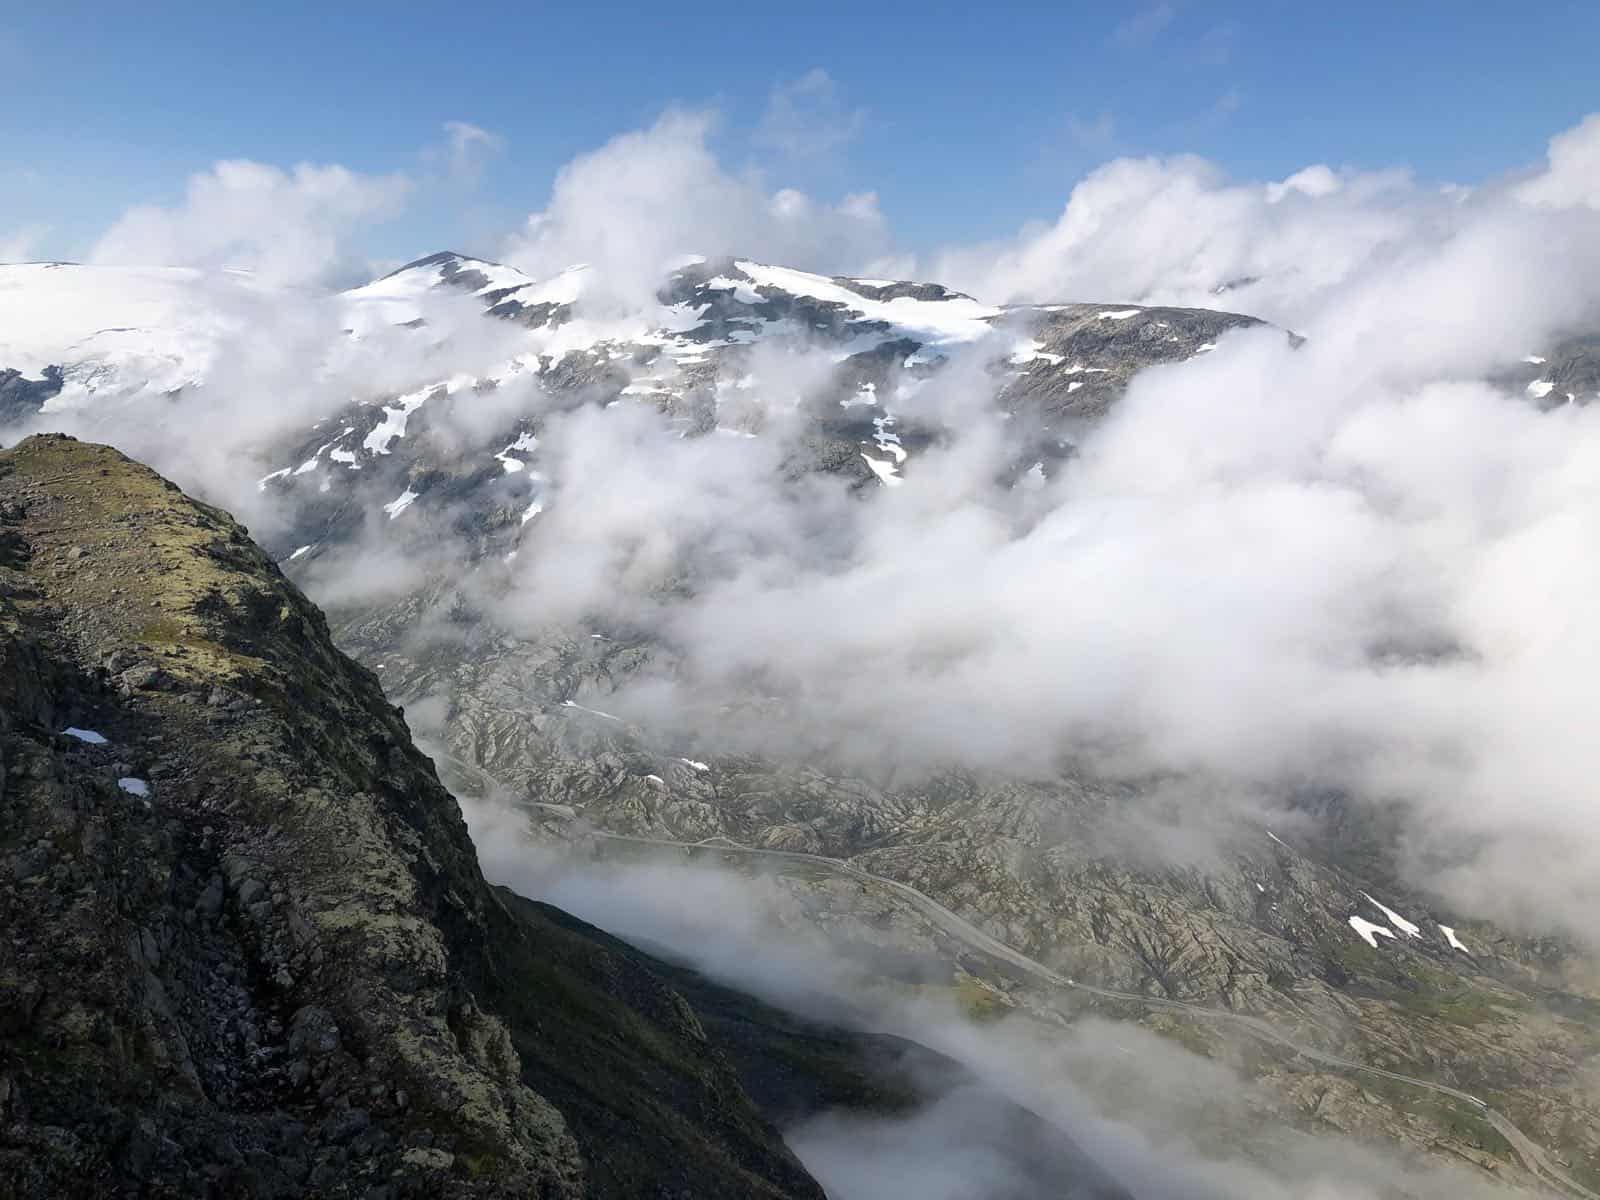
654	196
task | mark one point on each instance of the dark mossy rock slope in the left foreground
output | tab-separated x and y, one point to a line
246	946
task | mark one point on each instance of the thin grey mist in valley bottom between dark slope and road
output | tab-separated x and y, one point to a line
1162	1122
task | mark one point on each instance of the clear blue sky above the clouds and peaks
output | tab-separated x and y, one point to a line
966	119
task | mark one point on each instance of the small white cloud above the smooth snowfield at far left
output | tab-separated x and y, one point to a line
290	228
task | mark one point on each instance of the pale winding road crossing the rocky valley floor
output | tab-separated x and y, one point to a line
1538	1161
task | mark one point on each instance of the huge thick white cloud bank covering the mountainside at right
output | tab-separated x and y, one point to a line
1350	562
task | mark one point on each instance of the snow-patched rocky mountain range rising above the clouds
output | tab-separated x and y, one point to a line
726	348
